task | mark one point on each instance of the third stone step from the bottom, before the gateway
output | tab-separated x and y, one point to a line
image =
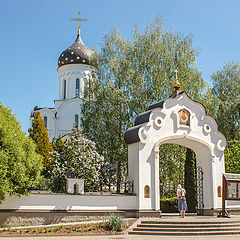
183	225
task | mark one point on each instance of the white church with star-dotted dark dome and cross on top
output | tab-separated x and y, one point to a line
74	71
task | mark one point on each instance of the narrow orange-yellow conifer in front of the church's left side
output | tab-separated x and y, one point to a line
39	134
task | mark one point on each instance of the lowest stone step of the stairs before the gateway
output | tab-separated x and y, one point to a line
180	233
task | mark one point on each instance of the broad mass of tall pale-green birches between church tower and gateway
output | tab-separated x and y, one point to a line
132	74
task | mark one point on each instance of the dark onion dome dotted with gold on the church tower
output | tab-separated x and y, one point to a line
77	53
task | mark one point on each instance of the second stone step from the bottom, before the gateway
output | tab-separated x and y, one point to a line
186	230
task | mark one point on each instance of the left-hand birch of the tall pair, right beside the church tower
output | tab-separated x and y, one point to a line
109	106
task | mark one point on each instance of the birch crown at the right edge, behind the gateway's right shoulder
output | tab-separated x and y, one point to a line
226	89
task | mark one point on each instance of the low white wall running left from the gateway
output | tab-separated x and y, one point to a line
70	202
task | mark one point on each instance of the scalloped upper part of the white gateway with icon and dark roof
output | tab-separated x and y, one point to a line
176	116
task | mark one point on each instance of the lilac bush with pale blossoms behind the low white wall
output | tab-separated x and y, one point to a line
77	155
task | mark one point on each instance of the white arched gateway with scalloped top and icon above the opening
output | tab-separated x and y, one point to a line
182	121
